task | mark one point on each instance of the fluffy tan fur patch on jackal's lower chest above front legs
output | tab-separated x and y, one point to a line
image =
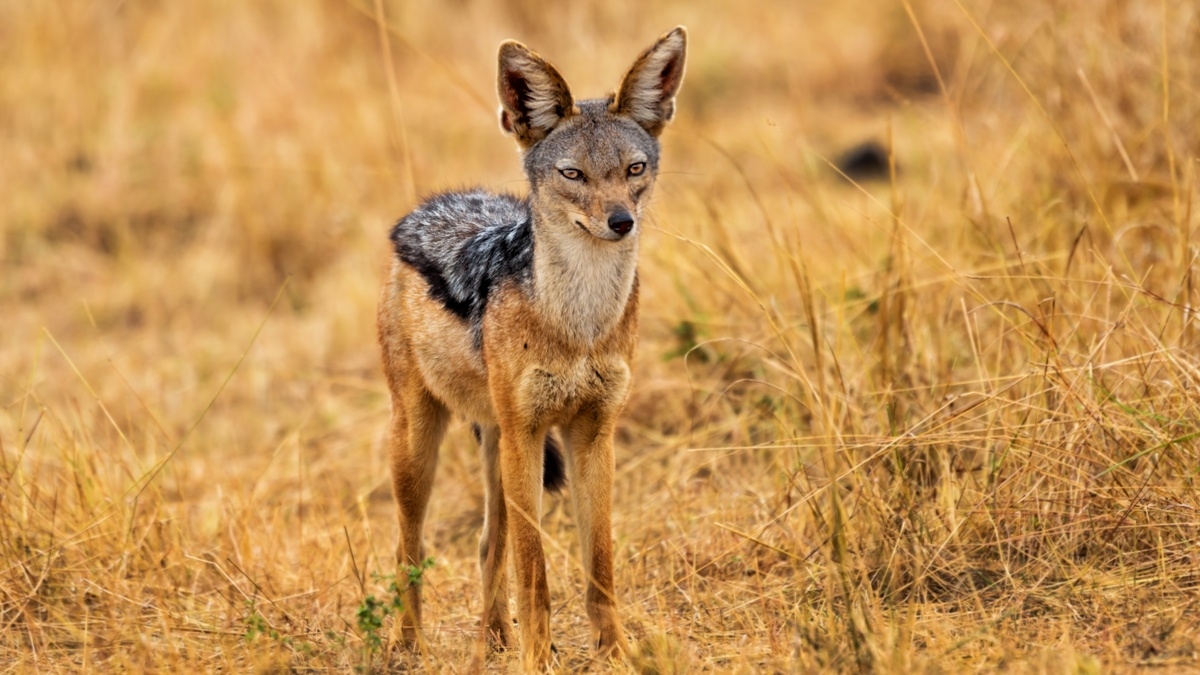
556	391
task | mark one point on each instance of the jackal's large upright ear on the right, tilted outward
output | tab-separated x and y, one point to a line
649	91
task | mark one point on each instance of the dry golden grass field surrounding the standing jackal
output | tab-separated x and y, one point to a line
943	421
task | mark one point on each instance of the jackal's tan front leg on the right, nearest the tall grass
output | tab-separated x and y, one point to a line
591	465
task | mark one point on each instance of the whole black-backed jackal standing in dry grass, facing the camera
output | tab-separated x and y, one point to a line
521	314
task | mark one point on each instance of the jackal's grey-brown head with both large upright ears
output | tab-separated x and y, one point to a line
591	164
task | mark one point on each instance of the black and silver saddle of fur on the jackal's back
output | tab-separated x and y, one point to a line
465	244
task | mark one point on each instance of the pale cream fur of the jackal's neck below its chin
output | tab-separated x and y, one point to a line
581	284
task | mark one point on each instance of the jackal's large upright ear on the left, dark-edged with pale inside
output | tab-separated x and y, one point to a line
533	97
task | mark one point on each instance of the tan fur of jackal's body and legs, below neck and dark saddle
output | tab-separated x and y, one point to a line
539	377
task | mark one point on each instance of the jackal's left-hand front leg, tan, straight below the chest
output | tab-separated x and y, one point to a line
521	465
